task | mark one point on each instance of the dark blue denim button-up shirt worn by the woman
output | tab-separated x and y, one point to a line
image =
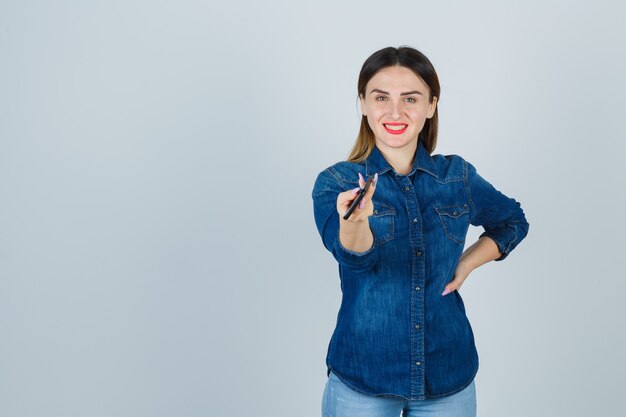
396	335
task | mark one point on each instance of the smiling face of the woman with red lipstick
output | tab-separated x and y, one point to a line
396	104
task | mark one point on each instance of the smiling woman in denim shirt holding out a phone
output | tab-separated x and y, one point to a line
402	341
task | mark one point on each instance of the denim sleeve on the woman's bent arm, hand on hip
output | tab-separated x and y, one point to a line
502	217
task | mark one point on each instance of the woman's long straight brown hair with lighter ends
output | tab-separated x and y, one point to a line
418	63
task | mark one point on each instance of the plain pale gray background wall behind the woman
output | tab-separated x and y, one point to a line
158	255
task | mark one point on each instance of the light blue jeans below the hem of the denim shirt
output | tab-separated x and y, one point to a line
340	401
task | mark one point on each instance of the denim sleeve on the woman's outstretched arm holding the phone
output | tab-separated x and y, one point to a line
324	194
